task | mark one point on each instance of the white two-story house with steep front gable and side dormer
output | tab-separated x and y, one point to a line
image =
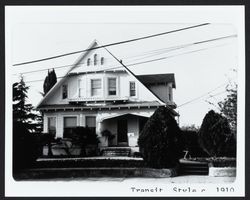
100	92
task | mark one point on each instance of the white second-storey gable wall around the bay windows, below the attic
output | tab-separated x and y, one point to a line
123	90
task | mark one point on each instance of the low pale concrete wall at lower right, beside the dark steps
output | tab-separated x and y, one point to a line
222	171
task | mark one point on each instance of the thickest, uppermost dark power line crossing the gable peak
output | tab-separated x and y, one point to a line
112	44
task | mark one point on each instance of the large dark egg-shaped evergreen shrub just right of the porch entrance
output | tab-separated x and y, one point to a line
160	140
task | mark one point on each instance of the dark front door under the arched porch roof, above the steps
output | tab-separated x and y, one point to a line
122	131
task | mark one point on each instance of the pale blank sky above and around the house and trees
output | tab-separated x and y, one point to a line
201	70
